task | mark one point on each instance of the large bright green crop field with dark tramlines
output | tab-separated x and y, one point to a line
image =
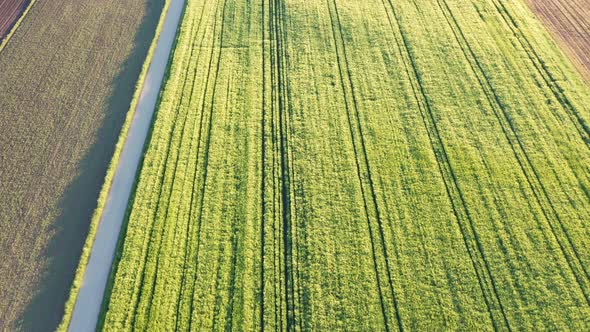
361	165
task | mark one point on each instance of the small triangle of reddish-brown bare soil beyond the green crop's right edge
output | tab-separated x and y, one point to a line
569	21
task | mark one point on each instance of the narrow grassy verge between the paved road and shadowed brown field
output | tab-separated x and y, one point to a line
79	276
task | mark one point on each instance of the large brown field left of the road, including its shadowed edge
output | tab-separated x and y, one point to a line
66	80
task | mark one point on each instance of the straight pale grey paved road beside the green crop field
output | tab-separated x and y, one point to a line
89	300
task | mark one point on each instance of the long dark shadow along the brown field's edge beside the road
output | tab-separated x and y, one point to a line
45	311
